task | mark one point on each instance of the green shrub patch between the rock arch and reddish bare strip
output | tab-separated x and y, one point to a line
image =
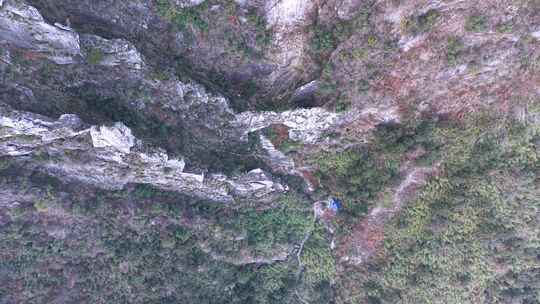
358	175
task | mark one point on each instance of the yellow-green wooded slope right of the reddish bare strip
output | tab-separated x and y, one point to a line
472	234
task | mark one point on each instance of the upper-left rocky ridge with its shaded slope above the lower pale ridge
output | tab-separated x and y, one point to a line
108	81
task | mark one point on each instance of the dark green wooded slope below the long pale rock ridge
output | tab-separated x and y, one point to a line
147	246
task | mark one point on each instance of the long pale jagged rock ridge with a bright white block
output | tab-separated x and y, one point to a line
110	157
